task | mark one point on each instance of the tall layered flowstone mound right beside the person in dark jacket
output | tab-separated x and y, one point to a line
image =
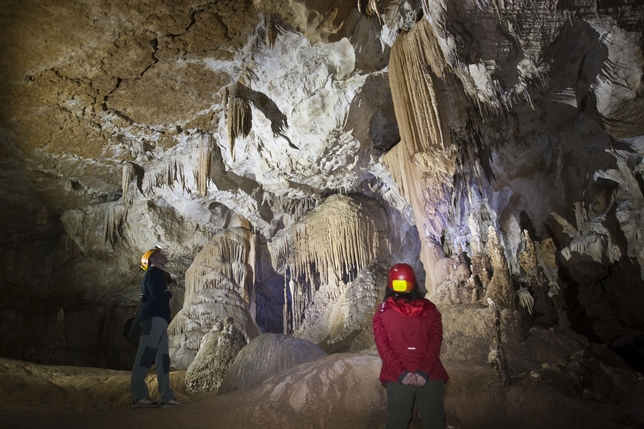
219	287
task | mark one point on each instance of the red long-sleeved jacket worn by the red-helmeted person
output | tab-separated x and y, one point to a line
408	335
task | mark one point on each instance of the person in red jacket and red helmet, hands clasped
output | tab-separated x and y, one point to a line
408	332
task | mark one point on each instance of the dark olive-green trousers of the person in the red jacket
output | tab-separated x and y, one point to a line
429	401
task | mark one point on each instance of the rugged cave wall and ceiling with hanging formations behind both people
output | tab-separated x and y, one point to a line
174	123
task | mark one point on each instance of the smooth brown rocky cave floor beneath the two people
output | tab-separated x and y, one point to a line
336	391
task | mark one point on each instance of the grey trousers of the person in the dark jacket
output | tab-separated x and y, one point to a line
153	348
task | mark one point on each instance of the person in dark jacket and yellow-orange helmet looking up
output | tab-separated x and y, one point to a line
153	345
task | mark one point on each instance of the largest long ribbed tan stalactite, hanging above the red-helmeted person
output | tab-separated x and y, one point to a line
423	164
